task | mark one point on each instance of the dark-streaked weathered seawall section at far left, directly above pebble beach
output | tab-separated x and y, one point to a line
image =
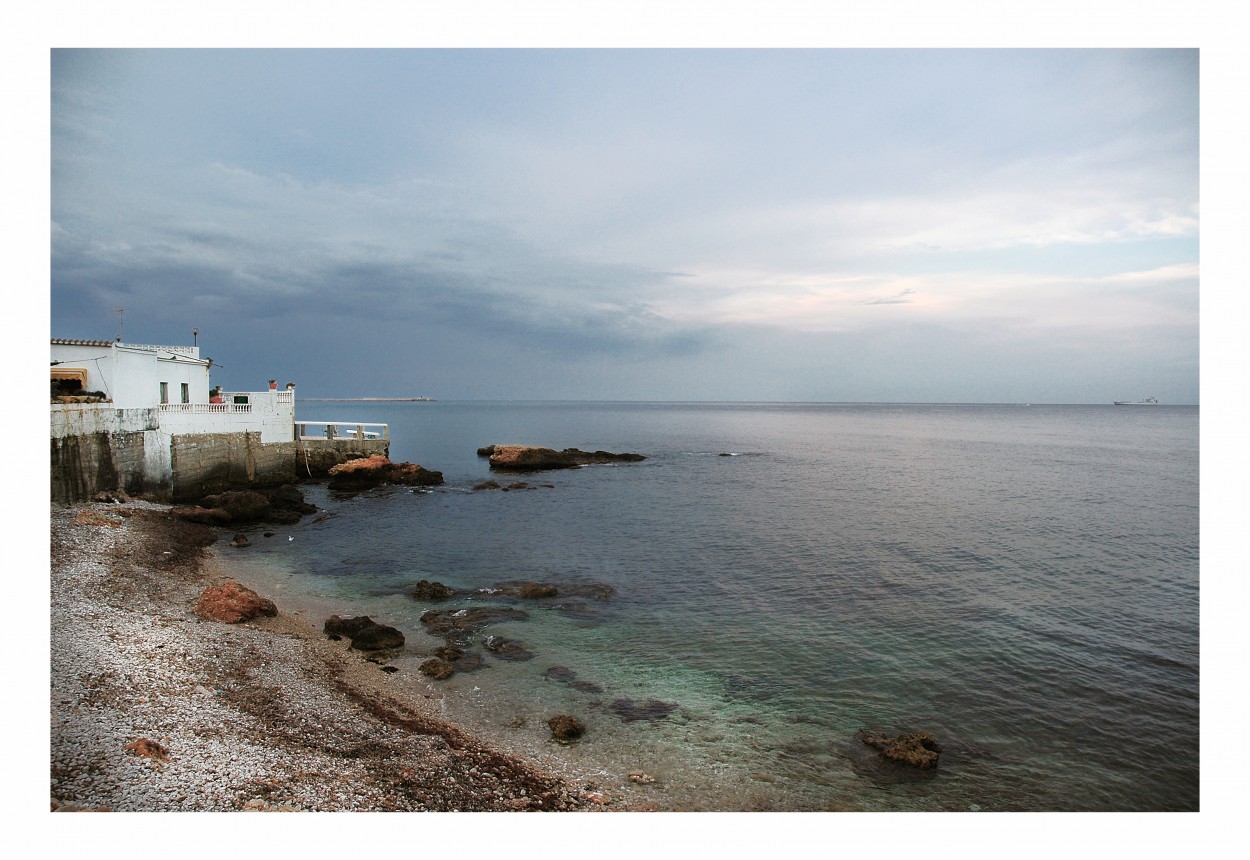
87	464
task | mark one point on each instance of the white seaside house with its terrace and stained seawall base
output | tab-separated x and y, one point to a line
144	418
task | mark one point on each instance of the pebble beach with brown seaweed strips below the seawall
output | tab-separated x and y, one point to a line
156	709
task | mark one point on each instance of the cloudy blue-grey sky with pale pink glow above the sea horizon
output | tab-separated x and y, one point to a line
833	224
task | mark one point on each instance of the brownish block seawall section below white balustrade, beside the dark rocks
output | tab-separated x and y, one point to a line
211	463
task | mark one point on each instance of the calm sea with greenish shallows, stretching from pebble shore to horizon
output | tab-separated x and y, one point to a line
1021	581
